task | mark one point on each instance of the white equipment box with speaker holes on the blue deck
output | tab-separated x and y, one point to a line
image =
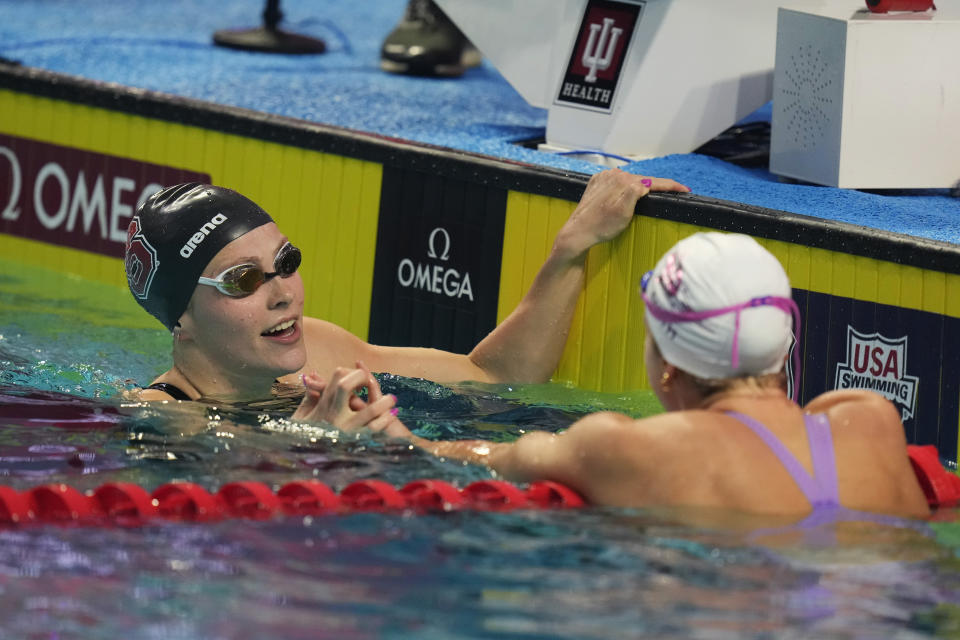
868	101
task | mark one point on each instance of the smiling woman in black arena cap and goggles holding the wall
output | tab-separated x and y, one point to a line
216	270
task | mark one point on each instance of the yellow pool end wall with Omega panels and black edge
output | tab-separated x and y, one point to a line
411	244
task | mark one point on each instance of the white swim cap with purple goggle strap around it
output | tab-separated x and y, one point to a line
719	306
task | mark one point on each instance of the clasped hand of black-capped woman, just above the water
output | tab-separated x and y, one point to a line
336	403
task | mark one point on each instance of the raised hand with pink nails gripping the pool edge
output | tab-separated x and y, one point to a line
606	208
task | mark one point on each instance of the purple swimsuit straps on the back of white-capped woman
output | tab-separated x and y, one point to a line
820	488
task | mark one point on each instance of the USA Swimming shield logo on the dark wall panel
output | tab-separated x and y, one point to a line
879	364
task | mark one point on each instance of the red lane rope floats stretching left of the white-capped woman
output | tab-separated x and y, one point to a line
125	504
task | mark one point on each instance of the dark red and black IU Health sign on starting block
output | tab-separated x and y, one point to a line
599	51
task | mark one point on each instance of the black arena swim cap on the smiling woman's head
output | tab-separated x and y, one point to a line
174	235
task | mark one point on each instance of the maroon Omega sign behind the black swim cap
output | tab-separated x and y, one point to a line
74	197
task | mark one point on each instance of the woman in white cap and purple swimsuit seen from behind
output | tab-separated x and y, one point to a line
718	316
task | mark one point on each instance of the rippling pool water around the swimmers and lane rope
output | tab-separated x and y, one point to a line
68	349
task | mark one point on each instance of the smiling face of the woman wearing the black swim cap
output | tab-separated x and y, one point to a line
259	335
